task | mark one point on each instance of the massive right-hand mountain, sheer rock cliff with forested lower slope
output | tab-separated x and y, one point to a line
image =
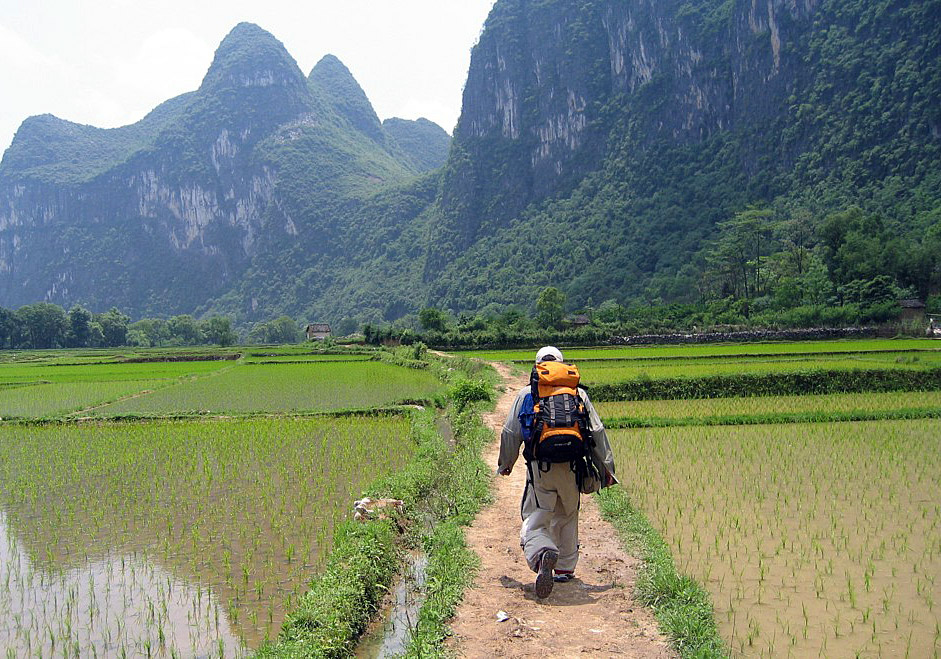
608	138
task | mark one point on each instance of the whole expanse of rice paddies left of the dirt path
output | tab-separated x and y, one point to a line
190	525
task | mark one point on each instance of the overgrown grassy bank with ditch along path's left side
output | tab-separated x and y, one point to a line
442	488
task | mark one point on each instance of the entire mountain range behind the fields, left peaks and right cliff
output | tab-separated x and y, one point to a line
747	156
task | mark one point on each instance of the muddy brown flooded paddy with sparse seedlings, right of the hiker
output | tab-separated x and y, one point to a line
812	539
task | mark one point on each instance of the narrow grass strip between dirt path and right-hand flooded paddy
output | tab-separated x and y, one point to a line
682	607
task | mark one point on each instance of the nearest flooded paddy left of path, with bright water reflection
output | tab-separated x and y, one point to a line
173	538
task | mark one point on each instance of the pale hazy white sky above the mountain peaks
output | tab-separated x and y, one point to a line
108	62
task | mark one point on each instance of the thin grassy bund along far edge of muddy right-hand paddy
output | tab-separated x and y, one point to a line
773	419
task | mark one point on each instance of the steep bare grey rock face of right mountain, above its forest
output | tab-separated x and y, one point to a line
549	81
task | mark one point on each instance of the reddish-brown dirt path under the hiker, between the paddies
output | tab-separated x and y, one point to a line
593	613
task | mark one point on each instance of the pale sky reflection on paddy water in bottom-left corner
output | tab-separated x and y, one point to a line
119	606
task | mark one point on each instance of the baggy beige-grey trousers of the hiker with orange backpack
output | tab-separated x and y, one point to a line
550	516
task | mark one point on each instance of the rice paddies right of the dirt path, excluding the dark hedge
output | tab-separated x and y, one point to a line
813	537
